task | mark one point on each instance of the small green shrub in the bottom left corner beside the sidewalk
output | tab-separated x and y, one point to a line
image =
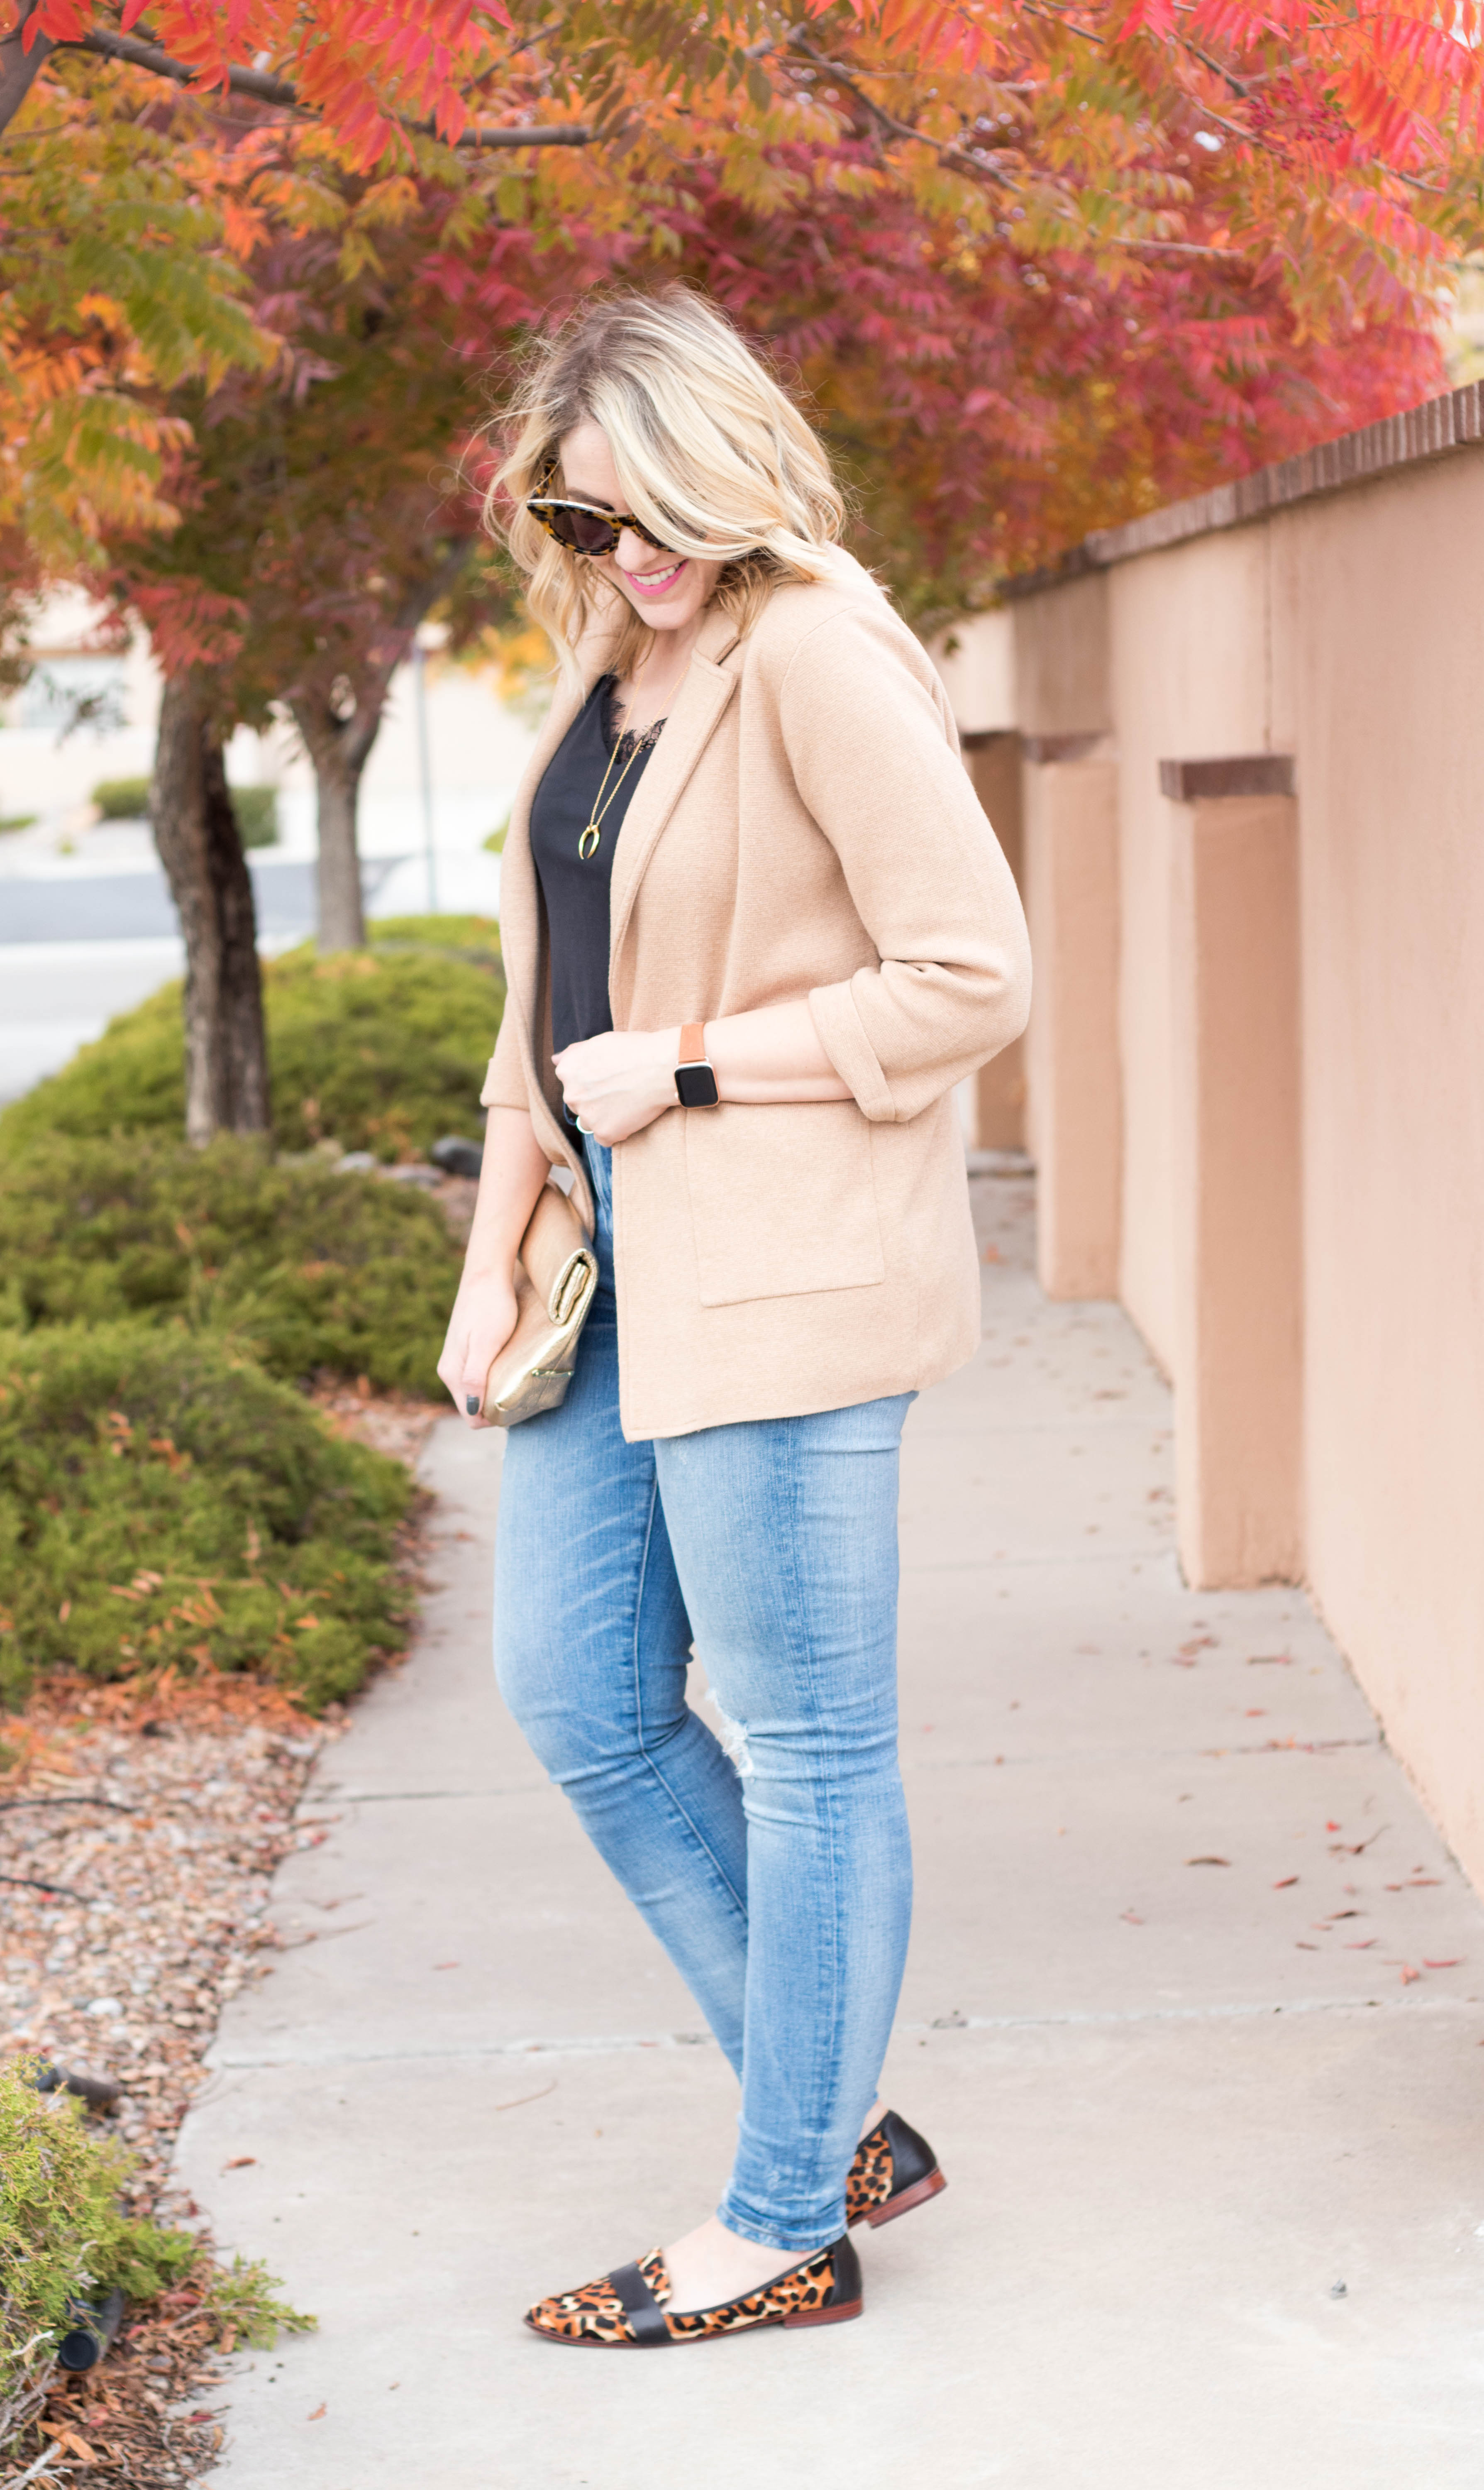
63	2237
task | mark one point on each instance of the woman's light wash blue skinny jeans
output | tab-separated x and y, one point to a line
781	1886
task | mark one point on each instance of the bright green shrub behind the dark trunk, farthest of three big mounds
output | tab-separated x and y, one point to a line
377	1050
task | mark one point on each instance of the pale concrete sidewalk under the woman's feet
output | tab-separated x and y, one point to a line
1216	2210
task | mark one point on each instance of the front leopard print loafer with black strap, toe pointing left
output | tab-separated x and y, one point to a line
626	2309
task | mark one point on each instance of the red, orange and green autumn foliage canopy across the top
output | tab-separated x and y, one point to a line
1040	268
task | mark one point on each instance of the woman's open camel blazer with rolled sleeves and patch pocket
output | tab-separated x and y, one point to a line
803	828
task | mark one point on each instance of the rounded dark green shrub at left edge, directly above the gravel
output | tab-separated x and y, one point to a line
166	1503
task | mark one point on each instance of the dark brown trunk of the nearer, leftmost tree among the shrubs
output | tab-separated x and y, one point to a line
200	848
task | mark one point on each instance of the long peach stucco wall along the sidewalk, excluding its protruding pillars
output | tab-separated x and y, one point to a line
1346	631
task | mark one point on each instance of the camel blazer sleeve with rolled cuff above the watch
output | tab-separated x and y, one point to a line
873	758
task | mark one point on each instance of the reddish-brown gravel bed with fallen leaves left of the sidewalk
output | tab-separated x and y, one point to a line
141	1829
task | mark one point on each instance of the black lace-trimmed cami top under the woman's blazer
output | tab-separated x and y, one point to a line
579	893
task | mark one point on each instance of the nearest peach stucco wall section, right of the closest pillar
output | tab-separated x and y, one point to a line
1381	654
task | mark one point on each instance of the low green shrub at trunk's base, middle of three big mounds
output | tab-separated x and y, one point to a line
305	1266
